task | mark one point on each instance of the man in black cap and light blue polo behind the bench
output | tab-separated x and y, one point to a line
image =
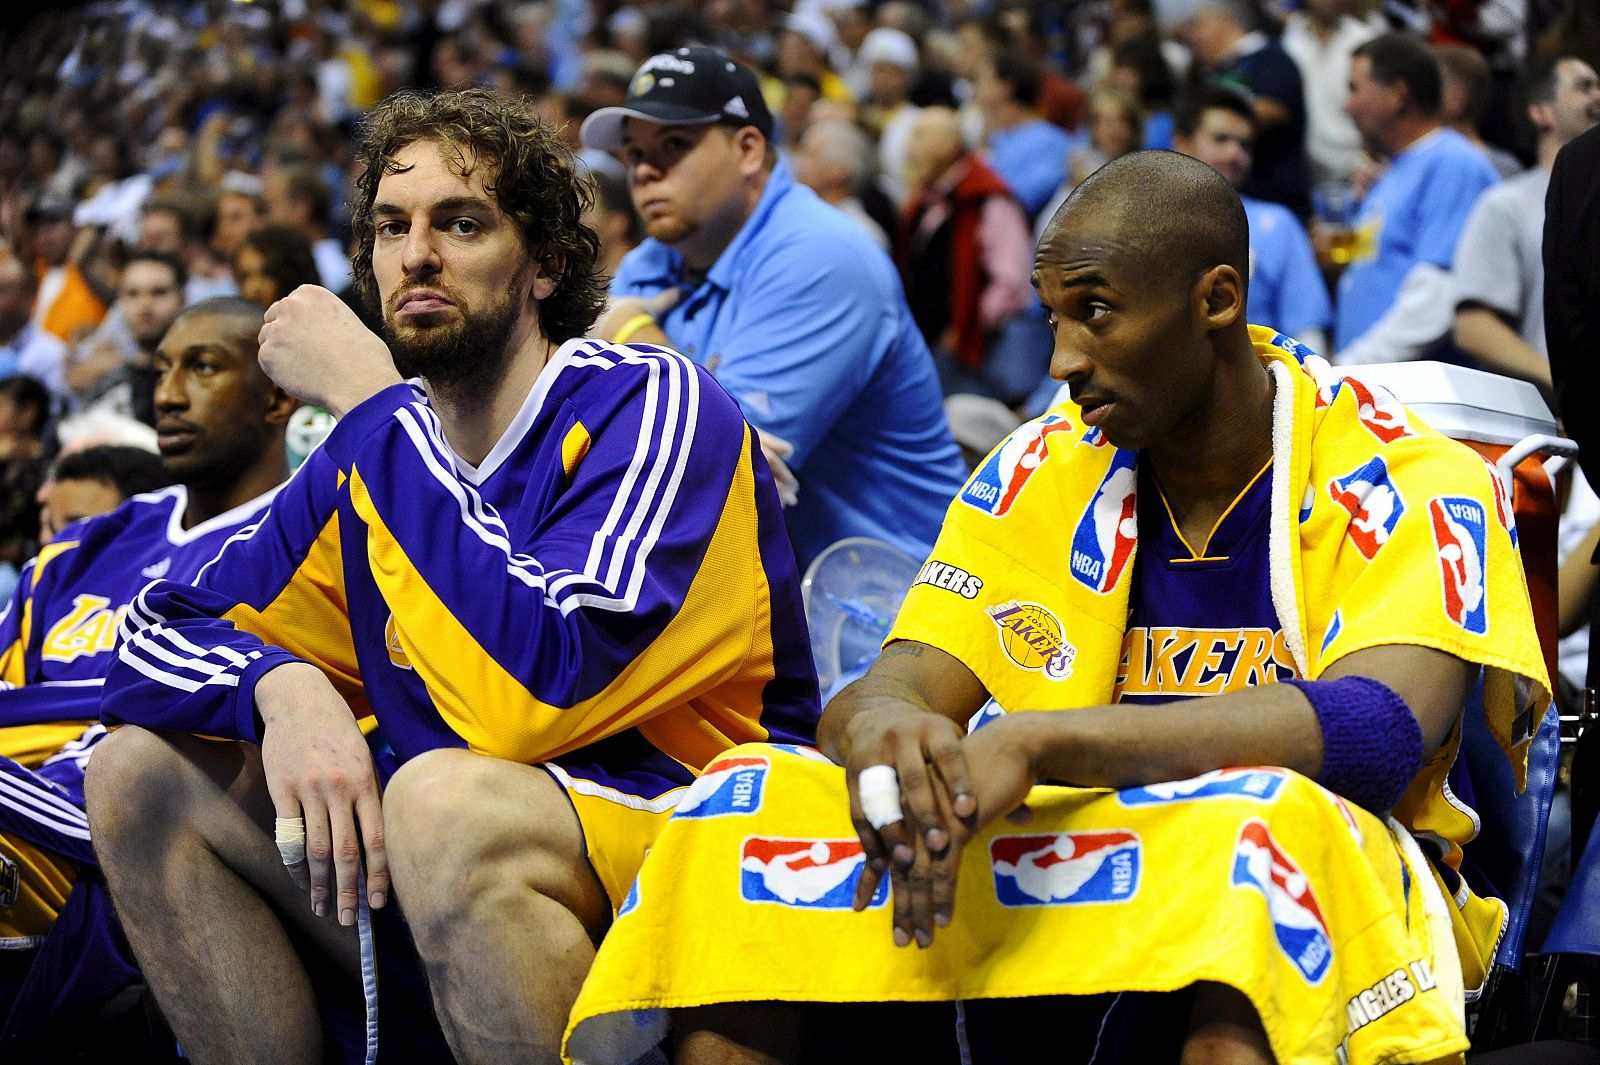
785	300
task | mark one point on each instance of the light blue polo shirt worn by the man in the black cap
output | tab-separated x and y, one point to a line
804	322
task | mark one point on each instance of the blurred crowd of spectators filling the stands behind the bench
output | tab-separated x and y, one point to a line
158	153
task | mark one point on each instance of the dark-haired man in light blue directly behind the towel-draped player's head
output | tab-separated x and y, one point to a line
1286	287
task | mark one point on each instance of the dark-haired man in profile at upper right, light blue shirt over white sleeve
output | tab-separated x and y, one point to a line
1396	298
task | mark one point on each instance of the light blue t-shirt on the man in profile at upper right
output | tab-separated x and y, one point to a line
1414	213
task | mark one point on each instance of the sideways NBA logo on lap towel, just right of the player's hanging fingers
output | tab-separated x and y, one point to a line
1066	868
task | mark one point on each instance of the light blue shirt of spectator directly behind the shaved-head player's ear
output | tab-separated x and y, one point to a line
1286	287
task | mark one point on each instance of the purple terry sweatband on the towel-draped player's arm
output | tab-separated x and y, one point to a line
1372	746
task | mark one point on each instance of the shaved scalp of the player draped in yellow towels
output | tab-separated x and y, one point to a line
1177	215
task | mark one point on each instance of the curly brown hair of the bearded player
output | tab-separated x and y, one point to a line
530	172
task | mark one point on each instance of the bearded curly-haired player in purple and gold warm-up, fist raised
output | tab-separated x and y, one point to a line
551	570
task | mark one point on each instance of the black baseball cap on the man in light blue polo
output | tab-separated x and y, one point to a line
684	87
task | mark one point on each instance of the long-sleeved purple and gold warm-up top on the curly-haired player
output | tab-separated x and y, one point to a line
610	589
